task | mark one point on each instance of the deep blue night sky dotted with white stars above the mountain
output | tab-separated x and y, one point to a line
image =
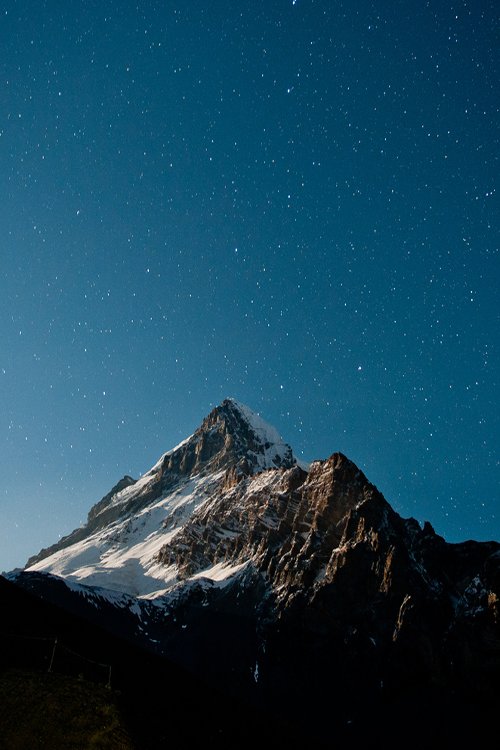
291	202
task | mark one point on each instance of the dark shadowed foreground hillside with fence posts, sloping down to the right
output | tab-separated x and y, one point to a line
150	702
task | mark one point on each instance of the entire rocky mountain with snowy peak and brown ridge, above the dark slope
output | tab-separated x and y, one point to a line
297	587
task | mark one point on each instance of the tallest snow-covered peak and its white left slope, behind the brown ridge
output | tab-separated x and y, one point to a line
119	545
